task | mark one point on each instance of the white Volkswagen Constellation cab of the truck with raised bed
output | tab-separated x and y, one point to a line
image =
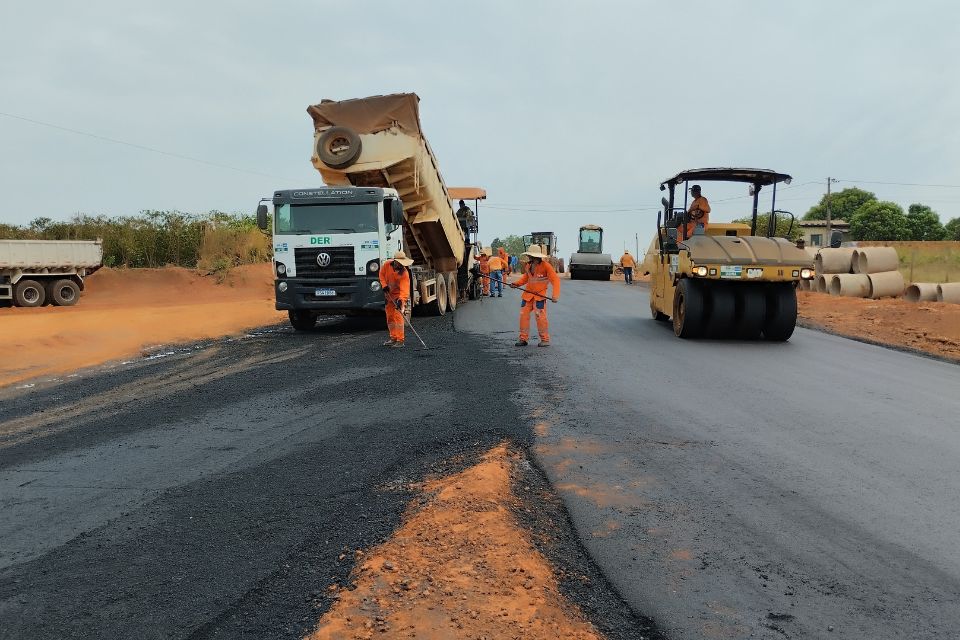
328	246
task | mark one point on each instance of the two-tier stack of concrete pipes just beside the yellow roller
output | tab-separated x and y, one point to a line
871	272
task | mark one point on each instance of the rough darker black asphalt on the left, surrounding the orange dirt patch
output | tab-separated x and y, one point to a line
217	490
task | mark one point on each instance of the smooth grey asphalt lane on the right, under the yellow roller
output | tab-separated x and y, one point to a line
730	489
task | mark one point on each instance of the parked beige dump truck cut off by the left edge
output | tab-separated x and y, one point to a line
38	272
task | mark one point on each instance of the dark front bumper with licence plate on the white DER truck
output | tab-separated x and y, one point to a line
352	294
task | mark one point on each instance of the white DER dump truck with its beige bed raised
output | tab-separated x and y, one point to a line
384	193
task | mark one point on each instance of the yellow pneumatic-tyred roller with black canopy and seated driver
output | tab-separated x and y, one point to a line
725	281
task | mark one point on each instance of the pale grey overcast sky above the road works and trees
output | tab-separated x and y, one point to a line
577	106
